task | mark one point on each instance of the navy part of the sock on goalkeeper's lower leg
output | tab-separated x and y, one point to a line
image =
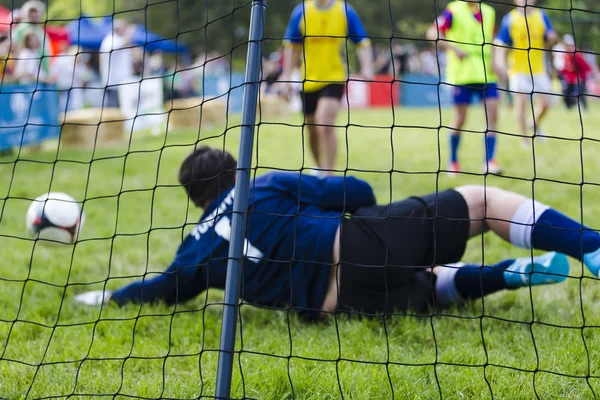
474	281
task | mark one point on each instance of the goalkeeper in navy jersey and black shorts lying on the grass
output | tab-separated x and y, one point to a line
300	228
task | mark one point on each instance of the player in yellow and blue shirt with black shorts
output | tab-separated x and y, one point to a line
317	35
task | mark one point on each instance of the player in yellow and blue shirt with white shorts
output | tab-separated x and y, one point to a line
526	32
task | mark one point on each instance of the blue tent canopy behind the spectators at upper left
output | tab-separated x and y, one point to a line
88	32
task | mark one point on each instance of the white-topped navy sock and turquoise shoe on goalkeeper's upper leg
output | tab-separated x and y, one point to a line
537	226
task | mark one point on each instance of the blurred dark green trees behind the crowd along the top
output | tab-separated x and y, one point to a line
222	25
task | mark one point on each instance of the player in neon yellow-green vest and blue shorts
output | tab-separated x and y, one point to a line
463	30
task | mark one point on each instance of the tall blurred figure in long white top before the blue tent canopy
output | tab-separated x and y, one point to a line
116	61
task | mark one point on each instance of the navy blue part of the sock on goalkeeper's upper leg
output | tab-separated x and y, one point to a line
554	231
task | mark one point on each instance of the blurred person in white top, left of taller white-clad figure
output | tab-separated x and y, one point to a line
71	74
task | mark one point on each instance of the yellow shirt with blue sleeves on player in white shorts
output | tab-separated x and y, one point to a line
526	34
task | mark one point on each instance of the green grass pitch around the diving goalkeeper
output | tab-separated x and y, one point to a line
543	342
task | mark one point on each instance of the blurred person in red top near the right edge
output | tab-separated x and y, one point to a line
576	71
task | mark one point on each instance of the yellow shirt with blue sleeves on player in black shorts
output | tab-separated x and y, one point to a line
323	31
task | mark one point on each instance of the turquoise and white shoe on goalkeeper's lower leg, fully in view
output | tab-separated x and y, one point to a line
547	268
